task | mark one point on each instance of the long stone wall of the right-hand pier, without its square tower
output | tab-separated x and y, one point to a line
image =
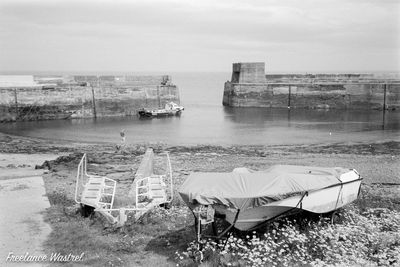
324	96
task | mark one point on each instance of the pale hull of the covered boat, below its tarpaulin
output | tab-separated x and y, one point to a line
319	201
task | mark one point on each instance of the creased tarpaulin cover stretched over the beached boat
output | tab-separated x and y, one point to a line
244	188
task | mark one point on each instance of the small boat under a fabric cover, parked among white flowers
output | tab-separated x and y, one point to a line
247	199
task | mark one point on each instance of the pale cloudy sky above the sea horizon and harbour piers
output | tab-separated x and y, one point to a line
199	35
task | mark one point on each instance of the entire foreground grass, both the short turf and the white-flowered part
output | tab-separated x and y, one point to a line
166	237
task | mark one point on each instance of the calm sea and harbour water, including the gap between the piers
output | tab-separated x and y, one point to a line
206	121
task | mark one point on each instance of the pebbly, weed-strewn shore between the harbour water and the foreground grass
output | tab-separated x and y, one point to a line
378	163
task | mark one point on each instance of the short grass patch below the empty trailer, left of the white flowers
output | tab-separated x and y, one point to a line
151	241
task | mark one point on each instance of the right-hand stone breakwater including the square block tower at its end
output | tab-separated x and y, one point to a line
250	87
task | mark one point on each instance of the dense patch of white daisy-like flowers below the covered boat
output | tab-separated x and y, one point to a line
370	238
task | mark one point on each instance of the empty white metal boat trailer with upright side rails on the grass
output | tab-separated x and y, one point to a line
148	190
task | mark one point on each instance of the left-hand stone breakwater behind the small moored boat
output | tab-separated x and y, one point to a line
80	96
